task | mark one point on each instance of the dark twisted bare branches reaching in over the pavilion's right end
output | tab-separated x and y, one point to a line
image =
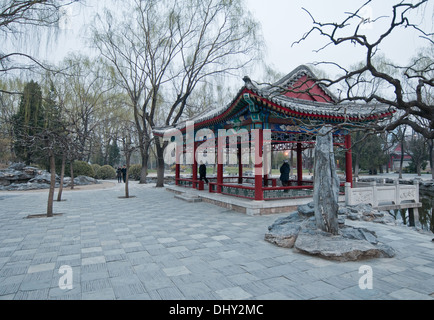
407	91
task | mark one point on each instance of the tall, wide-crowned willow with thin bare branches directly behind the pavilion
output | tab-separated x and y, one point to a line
166	49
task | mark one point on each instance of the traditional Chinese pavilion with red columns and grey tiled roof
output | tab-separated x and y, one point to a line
294	109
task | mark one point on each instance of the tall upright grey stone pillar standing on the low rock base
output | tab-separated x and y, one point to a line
326	183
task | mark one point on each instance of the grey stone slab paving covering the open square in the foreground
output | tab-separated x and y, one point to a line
154	246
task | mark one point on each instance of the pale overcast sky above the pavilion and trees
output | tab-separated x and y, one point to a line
284	22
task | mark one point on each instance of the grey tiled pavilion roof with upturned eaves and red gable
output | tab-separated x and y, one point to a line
295	96
